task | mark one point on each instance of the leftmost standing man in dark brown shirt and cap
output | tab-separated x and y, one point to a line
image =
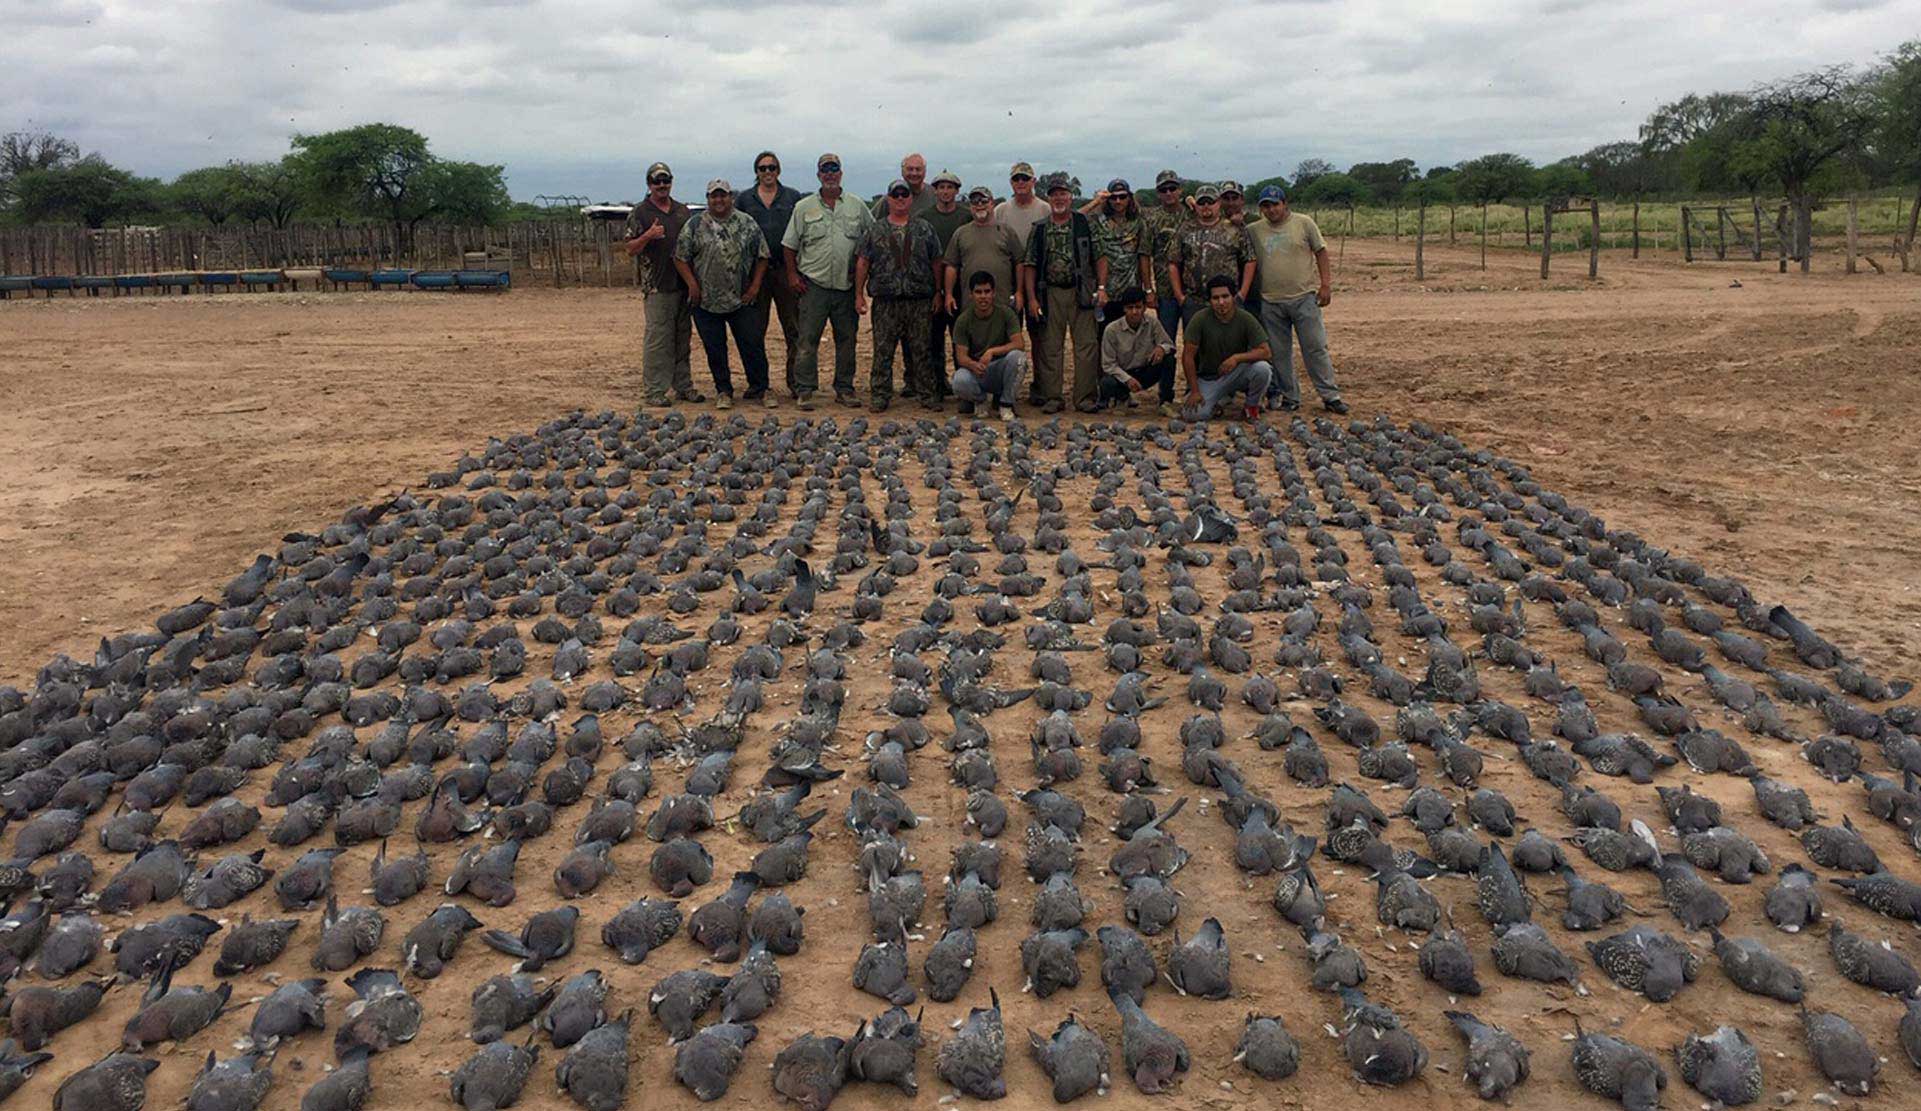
668	345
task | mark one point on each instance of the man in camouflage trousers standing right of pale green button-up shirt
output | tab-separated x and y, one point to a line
896	264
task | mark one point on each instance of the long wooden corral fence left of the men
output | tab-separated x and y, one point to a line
562	251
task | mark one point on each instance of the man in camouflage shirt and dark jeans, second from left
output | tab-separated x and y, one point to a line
723	259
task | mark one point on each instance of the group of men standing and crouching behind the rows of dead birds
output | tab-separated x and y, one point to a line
1109	285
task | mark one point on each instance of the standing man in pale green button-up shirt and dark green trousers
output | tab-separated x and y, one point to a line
819	259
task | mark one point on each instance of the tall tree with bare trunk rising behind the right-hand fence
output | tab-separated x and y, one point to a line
1797	132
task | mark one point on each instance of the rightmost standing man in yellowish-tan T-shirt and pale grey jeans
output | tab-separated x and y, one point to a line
1296	285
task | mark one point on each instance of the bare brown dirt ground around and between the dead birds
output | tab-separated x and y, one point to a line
149	449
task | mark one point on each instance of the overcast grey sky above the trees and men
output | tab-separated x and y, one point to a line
579	97
